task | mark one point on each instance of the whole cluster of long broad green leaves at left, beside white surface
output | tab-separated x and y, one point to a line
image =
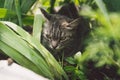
30	53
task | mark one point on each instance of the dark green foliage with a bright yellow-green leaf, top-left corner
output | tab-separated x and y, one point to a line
16	11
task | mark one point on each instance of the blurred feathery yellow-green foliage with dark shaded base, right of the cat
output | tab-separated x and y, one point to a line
100	60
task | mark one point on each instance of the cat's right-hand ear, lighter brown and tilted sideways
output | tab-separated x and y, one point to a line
73	24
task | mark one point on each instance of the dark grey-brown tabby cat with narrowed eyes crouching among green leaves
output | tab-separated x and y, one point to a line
62	34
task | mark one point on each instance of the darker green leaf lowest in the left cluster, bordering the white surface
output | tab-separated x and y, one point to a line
18	57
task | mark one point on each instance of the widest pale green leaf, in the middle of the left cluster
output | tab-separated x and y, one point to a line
14	41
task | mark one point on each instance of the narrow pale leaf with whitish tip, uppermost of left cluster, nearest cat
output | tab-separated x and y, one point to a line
54	67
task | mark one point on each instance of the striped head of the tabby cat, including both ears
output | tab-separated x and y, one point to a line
58	31
